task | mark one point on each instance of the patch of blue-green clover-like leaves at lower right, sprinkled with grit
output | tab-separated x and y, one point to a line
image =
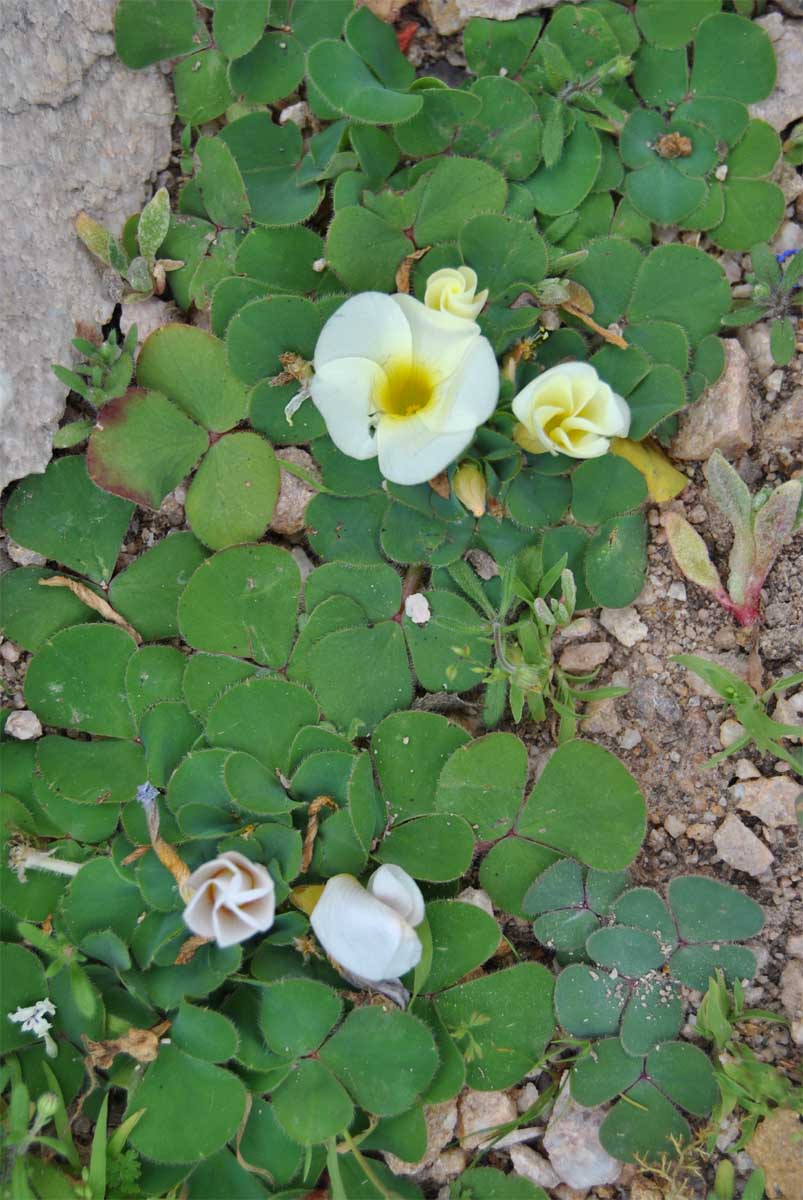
628	952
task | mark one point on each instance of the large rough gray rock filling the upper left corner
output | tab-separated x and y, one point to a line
81	131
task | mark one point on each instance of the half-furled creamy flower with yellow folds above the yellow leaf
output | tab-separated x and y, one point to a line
571	411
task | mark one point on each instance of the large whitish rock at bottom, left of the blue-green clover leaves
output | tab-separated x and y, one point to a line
572	1141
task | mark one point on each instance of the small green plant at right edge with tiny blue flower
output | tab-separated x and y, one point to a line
776	296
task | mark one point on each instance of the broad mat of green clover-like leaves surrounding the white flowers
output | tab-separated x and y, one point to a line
211	677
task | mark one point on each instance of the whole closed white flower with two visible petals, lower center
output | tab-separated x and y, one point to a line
371	932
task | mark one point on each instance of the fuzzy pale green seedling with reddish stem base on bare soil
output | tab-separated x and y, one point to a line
762	524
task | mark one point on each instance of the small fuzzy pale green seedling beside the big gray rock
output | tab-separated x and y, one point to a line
142	273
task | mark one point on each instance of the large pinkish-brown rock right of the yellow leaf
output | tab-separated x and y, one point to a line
722	418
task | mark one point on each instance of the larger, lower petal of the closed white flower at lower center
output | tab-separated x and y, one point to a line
364	935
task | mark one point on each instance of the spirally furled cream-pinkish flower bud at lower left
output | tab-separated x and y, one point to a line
233	899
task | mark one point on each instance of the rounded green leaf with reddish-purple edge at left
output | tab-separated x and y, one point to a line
143	447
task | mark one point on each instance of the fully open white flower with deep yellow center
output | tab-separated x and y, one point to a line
404	382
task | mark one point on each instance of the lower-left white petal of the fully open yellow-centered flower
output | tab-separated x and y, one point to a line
343	392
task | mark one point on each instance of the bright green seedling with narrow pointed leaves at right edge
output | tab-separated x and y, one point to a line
750	710
